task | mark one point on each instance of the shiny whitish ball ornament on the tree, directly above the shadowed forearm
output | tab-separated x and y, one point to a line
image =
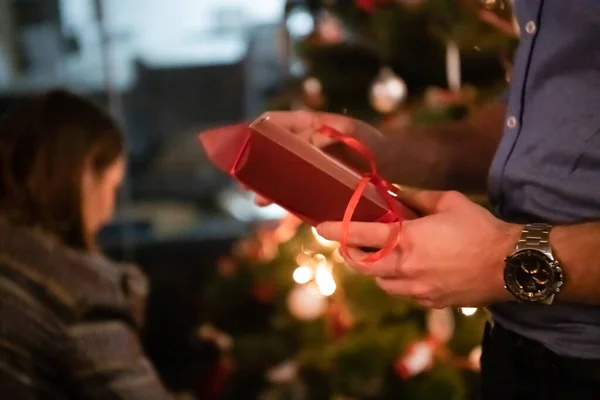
387	92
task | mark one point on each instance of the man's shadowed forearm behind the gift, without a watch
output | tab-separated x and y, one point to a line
454	156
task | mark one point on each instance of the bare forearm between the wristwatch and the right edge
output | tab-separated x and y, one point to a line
577	248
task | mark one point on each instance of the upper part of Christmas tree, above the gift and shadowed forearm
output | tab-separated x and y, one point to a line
375	59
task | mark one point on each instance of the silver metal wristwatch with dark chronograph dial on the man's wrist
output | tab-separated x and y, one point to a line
531	273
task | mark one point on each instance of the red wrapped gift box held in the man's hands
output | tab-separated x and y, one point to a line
300	177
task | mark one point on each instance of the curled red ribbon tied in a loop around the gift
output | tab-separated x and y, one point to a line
383	188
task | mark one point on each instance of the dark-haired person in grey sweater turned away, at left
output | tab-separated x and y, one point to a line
69	318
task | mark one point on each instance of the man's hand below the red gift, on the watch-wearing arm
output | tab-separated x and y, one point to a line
452	256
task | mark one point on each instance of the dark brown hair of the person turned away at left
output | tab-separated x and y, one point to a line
45	144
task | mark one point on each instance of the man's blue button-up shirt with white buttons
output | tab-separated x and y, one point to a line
547	167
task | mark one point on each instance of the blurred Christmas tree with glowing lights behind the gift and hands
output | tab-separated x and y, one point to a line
291	319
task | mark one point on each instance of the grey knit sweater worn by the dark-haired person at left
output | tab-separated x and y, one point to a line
69	323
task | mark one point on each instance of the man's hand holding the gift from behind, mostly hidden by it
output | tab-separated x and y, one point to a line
306	123
